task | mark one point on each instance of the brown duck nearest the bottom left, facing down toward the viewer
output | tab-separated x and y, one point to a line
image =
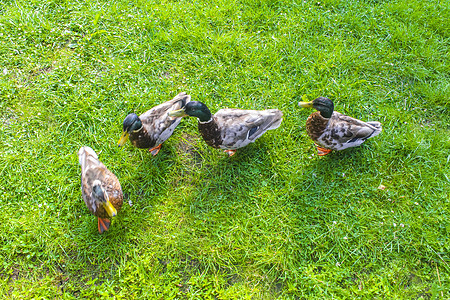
100	188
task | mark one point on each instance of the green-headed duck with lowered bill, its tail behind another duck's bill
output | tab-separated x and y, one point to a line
153	127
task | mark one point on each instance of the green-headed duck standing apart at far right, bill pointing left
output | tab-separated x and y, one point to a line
331	130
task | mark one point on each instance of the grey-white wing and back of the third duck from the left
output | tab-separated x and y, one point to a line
241	127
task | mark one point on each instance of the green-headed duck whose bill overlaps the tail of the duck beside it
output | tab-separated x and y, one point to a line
230	129
